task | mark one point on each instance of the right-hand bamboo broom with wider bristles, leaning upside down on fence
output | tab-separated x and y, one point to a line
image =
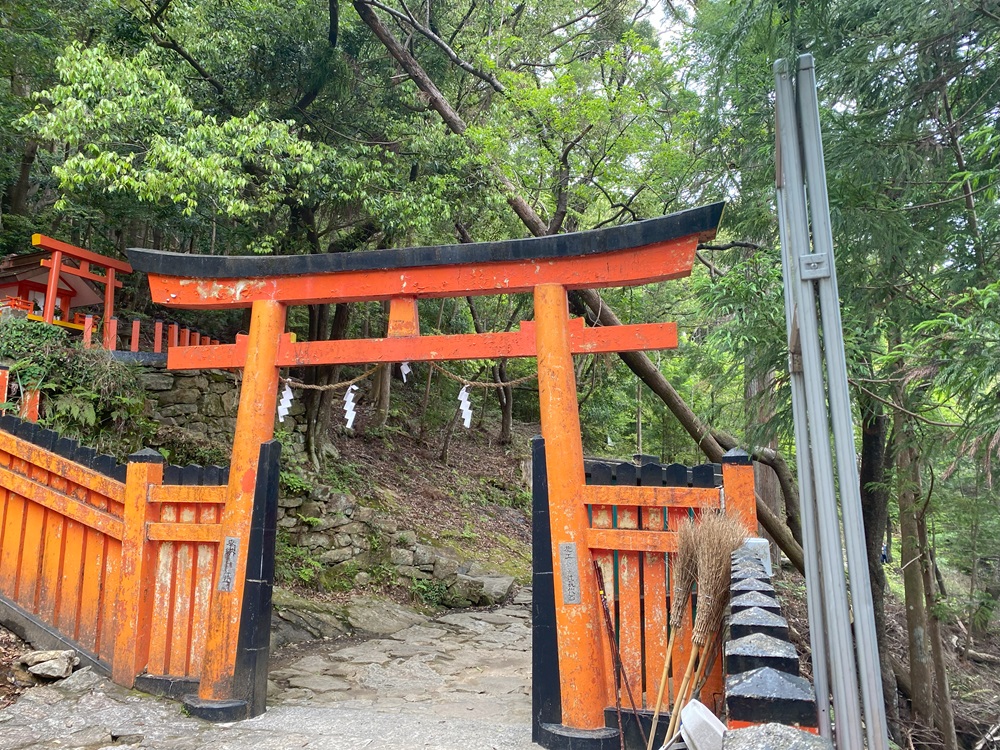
718	536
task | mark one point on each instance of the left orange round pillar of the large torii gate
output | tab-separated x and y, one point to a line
254	426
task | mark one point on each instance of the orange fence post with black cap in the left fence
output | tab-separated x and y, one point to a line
134	603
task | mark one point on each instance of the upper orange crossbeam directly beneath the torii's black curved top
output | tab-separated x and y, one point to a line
629	267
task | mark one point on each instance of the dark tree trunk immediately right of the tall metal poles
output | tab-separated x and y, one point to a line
875	511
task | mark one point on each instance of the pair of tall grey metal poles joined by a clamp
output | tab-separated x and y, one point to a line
821	400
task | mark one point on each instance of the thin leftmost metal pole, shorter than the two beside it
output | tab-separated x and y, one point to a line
807	497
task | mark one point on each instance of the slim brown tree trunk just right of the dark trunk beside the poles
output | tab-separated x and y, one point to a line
921	666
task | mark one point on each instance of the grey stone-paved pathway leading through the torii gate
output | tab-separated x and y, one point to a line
460	681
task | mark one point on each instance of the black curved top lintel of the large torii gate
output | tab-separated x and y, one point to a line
702	221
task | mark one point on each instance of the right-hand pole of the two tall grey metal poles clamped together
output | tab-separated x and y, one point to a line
840	409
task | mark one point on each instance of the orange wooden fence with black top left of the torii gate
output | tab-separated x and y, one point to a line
108	559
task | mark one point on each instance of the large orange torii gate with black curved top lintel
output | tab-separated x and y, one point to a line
548	267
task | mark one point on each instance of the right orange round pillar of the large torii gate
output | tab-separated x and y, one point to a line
579	628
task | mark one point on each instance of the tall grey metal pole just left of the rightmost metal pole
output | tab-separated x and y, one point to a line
846	701
